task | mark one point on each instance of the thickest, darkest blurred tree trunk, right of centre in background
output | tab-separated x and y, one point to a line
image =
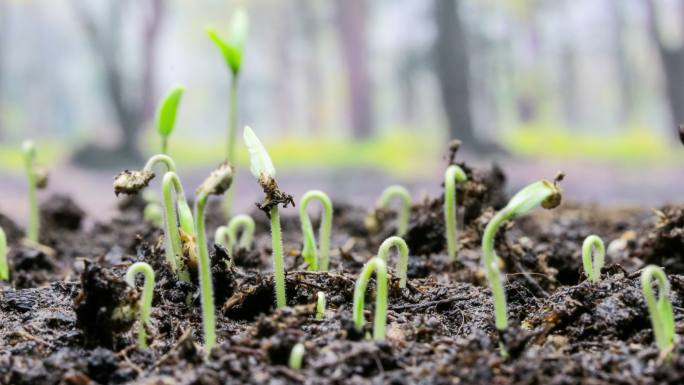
451	64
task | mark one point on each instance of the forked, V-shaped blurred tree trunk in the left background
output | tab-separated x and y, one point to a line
130	96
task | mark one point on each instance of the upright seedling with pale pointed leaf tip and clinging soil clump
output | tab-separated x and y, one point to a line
262	168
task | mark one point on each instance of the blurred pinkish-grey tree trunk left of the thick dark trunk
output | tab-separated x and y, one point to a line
352	17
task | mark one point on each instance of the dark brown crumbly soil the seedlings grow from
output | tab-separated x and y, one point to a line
67	316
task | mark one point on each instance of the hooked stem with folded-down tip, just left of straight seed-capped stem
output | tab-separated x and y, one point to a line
170	183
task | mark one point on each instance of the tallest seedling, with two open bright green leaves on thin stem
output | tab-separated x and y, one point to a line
232	50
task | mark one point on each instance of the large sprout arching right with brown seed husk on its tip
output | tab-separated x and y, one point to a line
542	193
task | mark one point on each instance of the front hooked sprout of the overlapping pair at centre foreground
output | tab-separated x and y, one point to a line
380	267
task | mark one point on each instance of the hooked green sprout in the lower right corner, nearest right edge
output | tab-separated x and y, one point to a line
662	317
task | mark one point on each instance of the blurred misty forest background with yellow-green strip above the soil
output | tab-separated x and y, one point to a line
350	95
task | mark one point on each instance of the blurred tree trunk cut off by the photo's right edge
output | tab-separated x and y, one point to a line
672	61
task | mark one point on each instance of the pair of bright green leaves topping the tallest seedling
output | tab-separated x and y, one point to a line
233	48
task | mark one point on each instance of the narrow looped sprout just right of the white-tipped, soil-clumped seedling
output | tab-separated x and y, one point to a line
321	261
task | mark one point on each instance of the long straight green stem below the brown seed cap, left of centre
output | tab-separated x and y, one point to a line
205	279
